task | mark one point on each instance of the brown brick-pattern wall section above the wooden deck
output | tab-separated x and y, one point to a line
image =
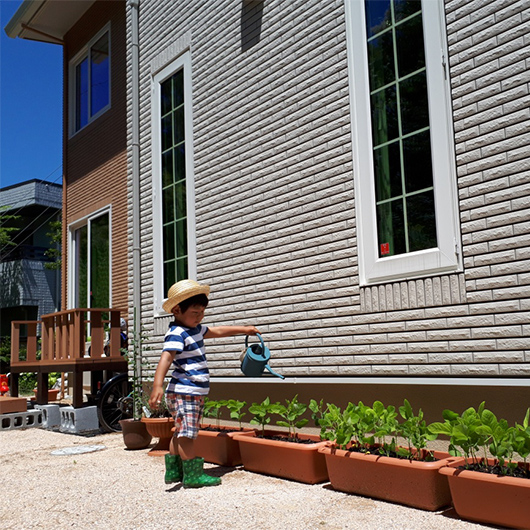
95	159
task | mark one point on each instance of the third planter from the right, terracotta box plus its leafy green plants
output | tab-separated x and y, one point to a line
291	455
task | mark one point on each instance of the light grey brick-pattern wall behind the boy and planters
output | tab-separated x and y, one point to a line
275	202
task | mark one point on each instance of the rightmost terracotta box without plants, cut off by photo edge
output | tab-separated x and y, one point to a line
487	498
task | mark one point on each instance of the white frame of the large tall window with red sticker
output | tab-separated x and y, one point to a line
446	257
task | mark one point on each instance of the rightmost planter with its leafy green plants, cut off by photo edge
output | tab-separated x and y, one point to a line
493	490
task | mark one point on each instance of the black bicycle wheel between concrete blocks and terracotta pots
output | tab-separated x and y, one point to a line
114	403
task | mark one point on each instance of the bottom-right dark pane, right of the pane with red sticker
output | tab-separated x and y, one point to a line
421	221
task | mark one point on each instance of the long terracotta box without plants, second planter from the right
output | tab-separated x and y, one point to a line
409	482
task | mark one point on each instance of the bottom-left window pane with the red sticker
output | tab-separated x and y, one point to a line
391	228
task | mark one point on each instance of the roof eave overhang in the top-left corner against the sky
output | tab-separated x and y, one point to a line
44	20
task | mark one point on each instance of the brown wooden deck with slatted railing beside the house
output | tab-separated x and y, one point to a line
63	349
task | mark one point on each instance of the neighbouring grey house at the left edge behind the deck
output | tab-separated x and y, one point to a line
28	289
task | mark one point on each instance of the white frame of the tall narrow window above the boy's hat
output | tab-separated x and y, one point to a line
181	62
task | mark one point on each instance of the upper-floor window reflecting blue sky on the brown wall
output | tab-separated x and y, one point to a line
90	82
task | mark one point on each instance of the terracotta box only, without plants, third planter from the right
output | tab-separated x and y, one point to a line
294	461
